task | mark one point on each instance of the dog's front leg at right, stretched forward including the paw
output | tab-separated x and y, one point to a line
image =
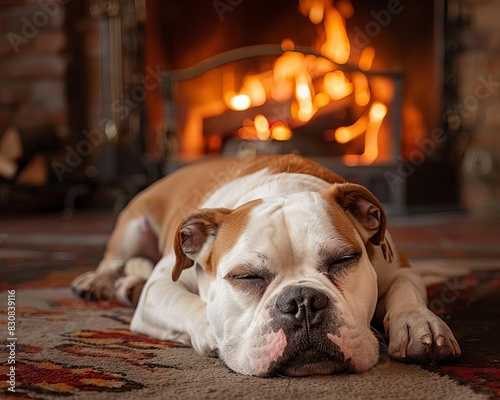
415	333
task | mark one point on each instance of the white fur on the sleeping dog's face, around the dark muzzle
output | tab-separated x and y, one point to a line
293	230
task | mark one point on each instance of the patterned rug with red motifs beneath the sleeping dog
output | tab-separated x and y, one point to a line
65	347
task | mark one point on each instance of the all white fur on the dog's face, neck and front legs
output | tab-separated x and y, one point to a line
288	228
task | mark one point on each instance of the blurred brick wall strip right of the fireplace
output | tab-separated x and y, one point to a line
478	106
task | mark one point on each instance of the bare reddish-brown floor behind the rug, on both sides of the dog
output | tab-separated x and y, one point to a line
453	235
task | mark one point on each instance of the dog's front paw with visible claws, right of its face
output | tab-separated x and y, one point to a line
418	335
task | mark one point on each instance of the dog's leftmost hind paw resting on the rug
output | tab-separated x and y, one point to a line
94	286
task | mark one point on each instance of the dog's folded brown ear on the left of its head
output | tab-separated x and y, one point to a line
193	233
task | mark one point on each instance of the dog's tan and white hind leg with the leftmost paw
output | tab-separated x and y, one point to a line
131	237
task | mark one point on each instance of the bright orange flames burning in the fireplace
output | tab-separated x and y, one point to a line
309	83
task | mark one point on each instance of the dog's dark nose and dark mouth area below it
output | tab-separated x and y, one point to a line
307	316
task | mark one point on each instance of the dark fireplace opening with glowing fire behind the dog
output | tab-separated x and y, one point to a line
357	86
